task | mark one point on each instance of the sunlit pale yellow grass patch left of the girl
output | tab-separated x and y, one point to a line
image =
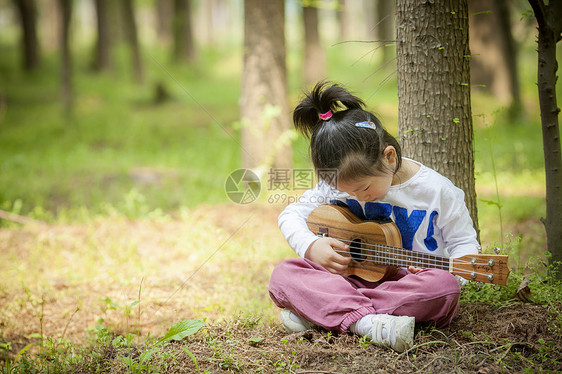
190	268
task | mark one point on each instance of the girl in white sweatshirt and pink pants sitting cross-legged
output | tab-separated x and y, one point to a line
374	182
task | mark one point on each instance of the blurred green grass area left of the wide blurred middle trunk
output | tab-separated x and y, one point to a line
99	157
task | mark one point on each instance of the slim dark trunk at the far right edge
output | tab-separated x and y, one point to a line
548	18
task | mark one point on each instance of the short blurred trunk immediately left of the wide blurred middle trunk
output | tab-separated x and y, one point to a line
184	49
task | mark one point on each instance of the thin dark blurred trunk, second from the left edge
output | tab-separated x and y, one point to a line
66	63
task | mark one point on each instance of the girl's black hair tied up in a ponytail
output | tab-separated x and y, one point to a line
337	143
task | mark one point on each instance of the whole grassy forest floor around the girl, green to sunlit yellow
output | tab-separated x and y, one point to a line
140	234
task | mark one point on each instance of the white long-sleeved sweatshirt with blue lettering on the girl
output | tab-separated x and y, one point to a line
428	209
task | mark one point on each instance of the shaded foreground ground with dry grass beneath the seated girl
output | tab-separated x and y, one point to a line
483	339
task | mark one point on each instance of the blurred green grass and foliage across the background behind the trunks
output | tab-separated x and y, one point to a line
122	151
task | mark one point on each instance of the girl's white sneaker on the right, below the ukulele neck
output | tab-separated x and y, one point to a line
396	332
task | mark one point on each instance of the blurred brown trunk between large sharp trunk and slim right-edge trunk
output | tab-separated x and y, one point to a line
494	55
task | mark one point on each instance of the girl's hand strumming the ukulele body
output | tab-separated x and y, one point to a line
323	252
